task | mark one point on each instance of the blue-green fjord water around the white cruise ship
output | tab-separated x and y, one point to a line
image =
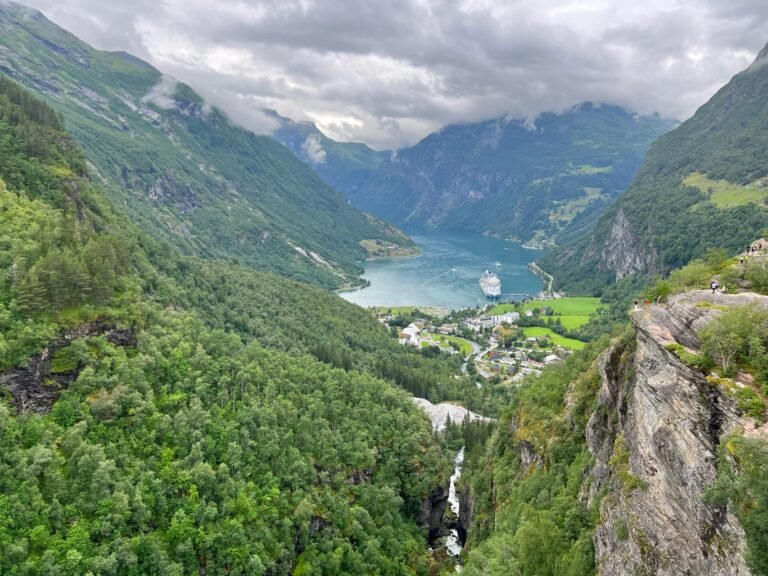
447	272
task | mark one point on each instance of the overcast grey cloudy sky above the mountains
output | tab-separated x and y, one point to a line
387	72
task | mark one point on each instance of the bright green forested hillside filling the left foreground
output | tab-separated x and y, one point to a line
164	415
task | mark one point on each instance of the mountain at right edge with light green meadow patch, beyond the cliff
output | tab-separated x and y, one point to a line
703	185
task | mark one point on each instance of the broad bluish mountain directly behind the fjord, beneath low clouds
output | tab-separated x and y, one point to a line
506	178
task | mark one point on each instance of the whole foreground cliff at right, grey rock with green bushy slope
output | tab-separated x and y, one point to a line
637	459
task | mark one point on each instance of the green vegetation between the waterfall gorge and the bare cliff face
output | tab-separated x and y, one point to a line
531	520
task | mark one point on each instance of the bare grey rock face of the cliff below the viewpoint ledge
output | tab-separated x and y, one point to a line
654	438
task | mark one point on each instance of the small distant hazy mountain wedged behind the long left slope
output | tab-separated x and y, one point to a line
344	165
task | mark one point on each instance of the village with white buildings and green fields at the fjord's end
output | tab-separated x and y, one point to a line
501	343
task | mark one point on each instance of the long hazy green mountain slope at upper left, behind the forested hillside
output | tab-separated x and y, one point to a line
181	169
